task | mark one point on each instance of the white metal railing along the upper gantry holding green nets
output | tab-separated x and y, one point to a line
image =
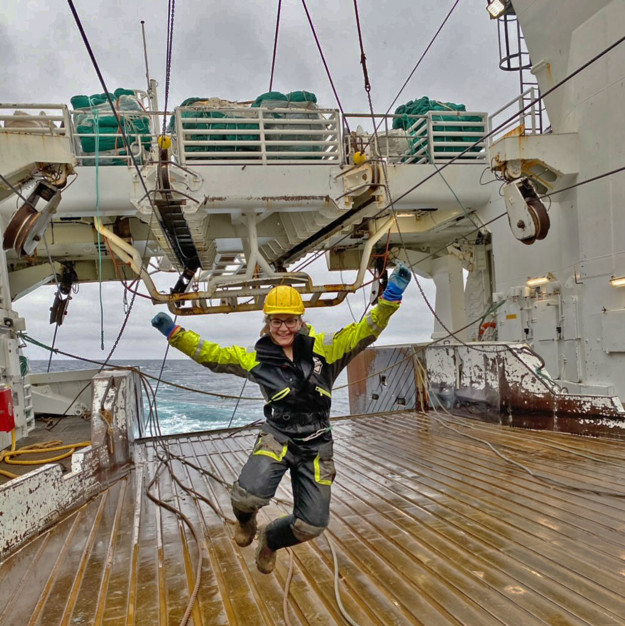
261	136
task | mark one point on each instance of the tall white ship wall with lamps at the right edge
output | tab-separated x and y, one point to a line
576	322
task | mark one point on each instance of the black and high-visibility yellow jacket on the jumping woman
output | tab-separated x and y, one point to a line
298	392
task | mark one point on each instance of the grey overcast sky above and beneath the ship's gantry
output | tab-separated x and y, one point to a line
223	48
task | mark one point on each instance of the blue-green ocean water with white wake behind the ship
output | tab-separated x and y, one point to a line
183	411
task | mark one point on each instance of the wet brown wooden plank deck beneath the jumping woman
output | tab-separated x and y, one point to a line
430	526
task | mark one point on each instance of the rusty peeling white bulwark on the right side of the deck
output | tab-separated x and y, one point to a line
494	381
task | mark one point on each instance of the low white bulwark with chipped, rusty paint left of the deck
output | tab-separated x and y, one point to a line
36	500
